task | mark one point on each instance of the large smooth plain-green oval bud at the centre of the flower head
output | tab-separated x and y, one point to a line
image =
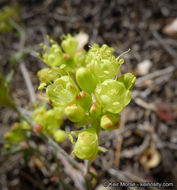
86	80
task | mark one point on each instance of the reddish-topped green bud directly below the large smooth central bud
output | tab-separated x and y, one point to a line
84	100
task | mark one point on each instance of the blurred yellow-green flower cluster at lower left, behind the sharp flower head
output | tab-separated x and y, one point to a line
45	121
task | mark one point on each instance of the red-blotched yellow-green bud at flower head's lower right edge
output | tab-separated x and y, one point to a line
109	122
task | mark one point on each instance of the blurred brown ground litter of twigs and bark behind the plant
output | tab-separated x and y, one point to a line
145	147
